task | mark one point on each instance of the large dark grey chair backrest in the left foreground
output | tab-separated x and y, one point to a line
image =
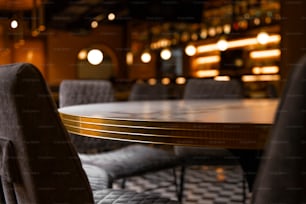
38	162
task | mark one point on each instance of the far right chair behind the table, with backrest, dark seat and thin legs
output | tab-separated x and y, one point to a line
207	89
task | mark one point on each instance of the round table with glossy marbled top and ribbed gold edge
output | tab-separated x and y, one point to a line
239	123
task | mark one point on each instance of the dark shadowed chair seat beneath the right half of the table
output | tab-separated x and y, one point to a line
205	156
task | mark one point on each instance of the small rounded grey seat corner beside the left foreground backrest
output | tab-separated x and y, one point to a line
97	177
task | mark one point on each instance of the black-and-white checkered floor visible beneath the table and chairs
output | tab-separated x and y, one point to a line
203	185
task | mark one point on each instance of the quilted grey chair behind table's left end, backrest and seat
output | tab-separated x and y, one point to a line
128	159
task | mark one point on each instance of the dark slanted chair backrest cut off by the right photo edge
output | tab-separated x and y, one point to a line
282	174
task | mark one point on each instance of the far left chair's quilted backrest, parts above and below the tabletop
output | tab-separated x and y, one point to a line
75	92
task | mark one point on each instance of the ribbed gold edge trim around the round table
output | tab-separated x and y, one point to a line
156	134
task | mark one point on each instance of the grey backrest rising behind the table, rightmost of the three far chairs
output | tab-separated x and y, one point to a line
212	89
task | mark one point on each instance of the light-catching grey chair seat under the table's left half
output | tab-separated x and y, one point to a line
131	160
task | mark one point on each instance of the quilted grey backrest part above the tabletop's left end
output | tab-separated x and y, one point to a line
75	92
